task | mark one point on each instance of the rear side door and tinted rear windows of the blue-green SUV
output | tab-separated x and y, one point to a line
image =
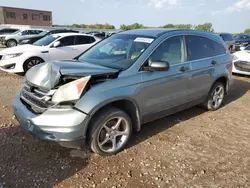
203	55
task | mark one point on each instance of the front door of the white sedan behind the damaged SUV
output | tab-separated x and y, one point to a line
66	50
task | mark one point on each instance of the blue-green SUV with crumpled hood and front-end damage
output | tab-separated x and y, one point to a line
122	82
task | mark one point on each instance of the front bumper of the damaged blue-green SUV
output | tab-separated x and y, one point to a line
65	126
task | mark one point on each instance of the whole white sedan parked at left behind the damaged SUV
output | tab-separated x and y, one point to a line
61	46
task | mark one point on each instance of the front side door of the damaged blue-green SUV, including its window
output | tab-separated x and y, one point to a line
165	90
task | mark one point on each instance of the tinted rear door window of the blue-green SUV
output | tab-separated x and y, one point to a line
199	48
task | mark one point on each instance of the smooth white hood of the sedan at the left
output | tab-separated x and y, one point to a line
22	49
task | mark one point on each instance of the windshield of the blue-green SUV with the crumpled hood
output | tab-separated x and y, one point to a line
119	51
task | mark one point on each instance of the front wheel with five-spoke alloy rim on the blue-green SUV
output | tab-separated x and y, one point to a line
110	131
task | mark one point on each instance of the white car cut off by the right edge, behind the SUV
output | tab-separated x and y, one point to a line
241	61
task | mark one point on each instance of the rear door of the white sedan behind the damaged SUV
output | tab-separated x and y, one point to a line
82	43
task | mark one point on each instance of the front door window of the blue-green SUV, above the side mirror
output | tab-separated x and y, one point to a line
172	50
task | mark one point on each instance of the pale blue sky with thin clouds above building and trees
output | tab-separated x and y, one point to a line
225	15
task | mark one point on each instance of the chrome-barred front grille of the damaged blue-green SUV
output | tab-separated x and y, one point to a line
35	99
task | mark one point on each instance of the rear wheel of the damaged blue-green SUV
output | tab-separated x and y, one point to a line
215	97
